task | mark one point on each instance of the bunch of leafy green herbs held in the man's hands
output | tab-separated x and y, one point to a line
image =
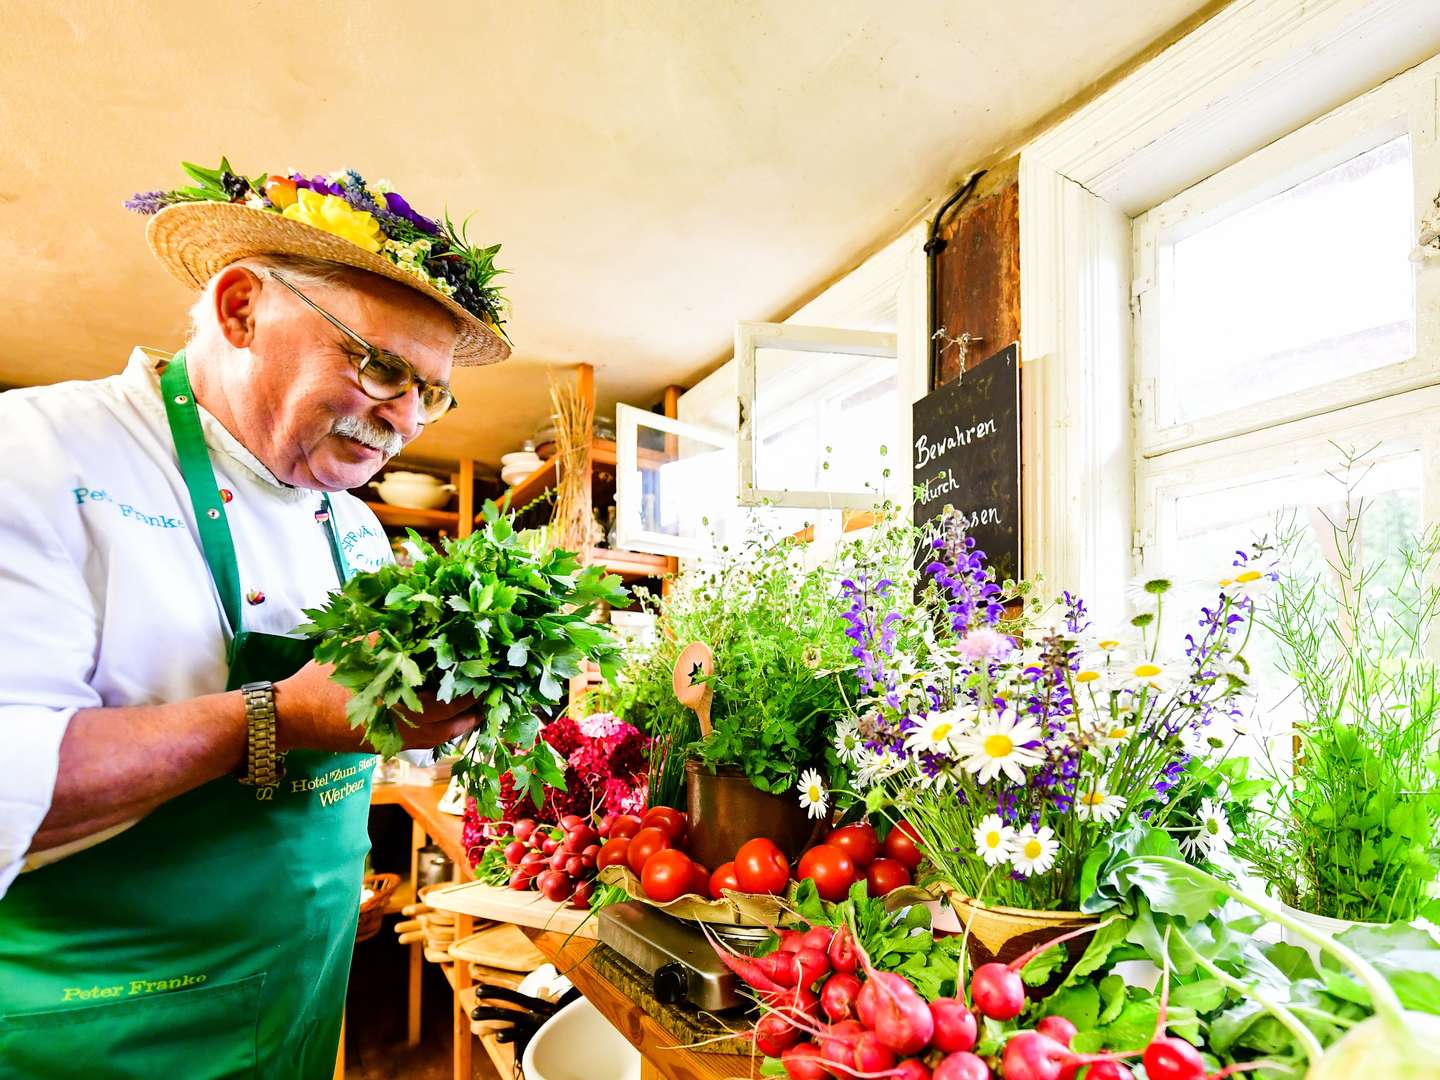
489	620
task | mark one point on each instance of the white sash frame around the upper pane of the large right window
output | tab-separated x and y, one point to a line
1405	106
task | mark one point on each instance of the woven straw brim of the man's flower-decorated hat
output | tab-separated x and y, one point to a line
195	241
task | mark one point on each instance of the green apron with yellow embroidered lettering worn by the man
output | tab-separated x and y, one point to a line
214	938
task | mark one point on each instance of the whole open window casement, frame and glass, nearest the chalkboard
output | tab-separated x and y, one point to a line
819	417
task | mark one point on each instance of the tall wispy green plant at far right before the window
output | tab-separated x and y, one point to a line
1356	823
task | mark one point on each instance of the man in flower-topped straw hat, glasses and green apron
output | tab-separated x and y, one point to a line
178	780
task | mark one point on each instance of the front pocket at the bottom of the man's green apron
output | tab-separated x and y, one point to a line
210	1032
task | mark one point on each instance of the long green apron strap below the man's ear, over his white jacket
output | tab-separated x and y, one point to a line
205	493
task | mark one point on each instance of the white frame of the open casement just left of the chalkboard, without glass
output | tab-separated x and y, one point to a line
750	339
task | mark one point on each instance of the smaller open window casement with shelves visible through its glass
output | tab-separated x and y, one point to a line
672	479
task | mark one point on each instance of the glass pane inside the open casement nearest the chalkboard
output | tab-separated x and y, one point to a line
822	420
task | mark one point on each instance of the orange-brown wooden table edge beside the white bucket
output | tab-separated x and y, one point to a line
657	1048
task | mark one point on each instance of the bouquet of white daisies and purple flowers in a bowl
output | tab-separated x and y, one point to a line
1017	738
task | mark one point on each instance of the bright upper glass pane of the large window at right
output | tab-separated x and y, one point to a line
1311	286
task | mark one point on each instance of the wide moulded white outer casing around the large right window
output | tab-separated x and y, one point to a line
1254	73
